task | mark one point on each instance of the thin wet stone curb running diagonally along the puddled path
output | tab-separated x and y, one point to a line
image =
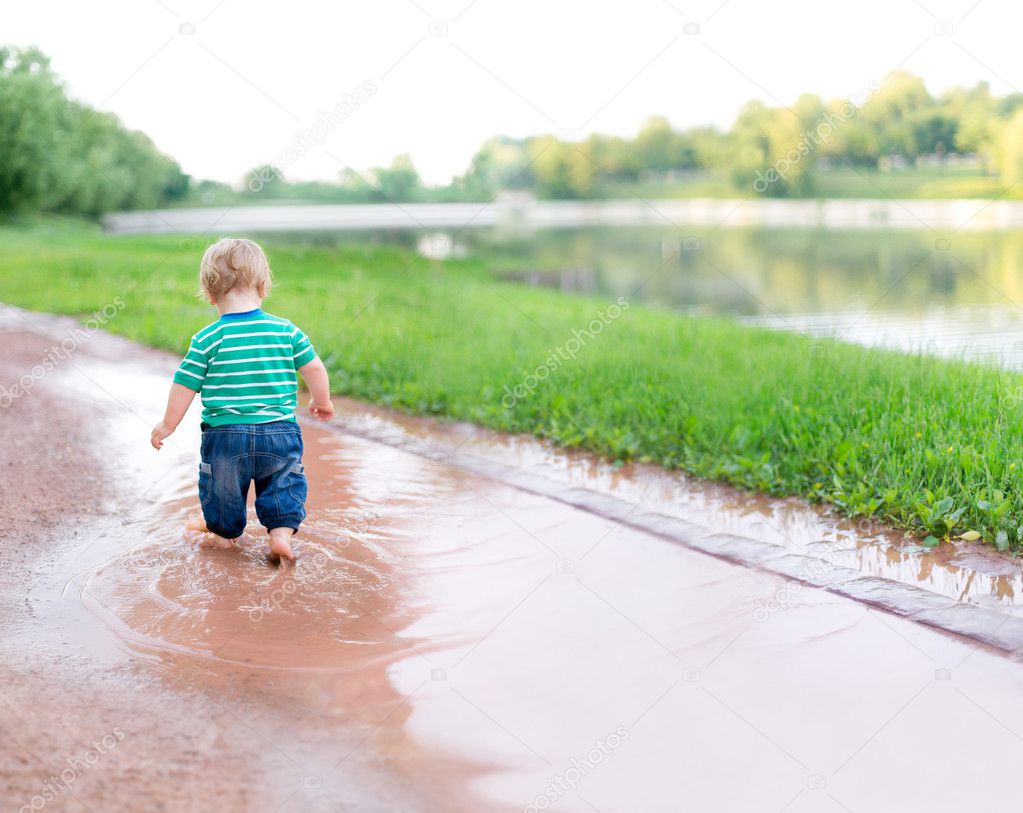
990	627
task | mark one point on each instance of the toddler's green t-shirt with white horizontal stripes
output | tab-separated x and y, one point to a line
244	367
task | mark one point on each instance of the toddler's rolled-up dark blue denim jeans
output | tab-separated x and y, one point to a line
271	456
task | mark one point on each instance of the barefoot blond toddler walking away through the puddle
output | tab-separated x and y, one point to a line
244	366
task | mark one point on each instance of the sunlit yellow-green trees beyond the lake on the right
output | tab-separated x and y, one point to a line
776	151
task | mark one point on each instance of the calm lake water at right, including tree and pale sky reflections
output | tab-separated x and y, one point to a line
960	296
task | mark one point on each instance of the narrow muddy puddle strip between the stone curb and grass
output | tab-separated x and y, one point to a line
973	573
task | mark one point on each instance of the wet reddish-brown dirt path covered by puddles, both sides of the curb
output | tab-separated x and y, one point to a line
451	642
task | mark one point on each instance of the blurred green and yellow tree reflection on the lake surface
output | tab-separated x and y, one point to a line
754	270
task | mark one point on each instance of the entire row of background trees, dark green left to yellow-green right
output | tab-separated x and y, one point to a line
59	155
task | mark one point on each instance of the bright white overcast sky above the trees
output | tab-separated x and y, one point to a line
227	85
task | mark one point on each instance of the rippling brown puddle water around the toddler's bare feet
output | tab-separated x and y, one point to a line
231	605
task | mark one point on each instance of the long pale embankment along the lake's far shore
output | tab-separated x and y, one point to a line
968	214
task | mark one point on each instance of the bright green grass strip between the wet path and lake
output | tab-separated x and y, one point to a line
925	444
